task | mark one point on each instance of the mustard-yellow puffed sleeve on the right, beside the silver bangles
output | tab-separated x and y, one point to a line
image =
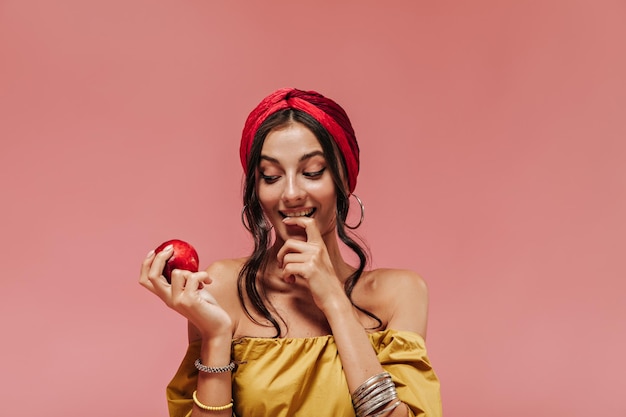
403	355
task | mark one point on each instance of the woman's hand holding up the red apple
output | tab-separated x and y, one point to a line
188	294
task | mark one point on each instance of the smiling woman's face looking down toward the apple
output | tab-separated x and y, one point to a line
293	180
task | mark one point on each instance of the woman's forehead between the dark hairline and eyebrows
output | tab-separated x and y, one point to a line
291	141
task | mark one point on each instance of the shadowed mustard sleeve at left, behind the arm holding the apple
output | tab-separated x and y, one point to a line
182	385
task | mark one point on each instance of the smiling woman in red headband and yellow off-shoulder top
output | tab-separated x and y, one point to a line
294	329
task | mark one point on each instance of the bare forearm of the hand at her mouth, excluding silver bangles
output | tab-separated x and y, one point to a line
357	356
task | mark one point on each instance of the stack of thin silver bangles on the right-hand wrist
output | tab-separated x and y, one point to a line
376	396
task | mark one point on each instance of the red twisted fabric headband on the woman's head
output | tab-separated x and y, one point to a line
313	104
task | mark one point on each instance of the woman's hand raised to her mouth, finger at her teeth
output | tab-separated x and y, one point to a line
309	263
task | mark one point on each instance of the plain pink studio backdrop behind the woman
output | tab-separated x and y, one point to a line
493	163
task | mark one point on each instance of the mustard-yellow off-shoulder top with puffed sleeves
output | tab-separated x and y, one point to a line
303	376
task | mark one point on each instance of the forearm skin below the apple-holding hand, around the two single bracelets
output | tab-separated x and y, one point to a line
214	389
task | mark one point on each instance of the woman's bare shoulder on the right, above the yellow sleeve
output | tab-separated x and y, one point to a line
402	297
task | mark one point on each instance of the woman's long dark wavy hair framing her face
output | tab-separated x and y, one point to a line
260	228
